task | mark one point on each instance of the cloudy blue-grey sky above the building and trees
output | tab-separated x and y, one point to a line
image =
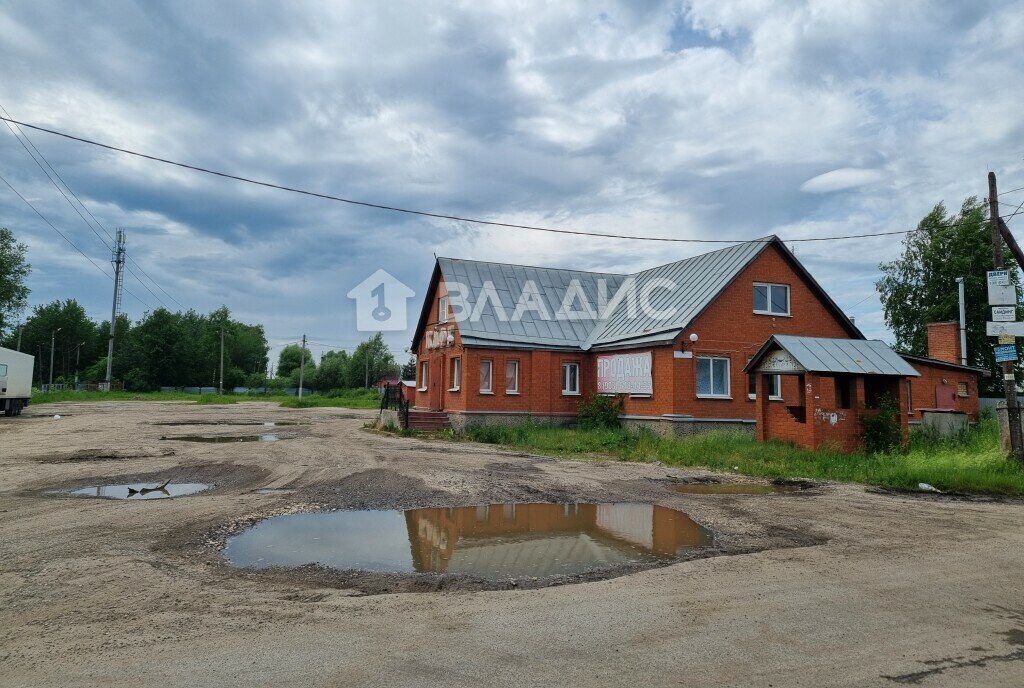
710	119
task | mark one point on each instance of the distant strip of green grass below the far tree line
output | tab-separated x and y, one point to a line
348	399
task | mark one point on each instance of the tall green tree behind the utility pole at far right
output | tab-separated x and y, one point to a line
921	286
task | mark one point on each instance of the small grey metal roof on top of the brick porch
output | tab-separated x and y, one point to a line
820	355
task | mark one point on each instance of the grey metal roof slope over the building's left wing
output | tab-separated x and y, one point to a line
509	284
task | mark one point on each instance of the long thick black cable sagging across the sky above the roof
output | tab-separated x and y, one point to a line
422	213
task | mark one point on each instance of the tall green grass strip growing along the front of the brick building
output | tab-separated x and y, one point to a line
972	463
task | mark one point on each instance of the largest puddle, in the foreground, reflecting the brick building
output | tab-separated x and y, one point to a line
499	541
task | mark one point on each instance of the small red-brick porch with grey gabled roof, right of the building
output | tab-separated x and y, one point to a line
839	381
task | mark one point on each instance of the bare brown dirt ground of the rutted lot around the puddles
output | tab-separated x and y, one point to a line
832	586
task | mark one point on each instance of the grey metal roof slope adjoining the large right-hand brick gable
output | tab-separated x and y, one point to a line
697	282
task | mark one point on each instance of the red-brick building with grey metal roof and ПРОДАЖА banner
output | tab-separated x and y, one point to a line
499	343
